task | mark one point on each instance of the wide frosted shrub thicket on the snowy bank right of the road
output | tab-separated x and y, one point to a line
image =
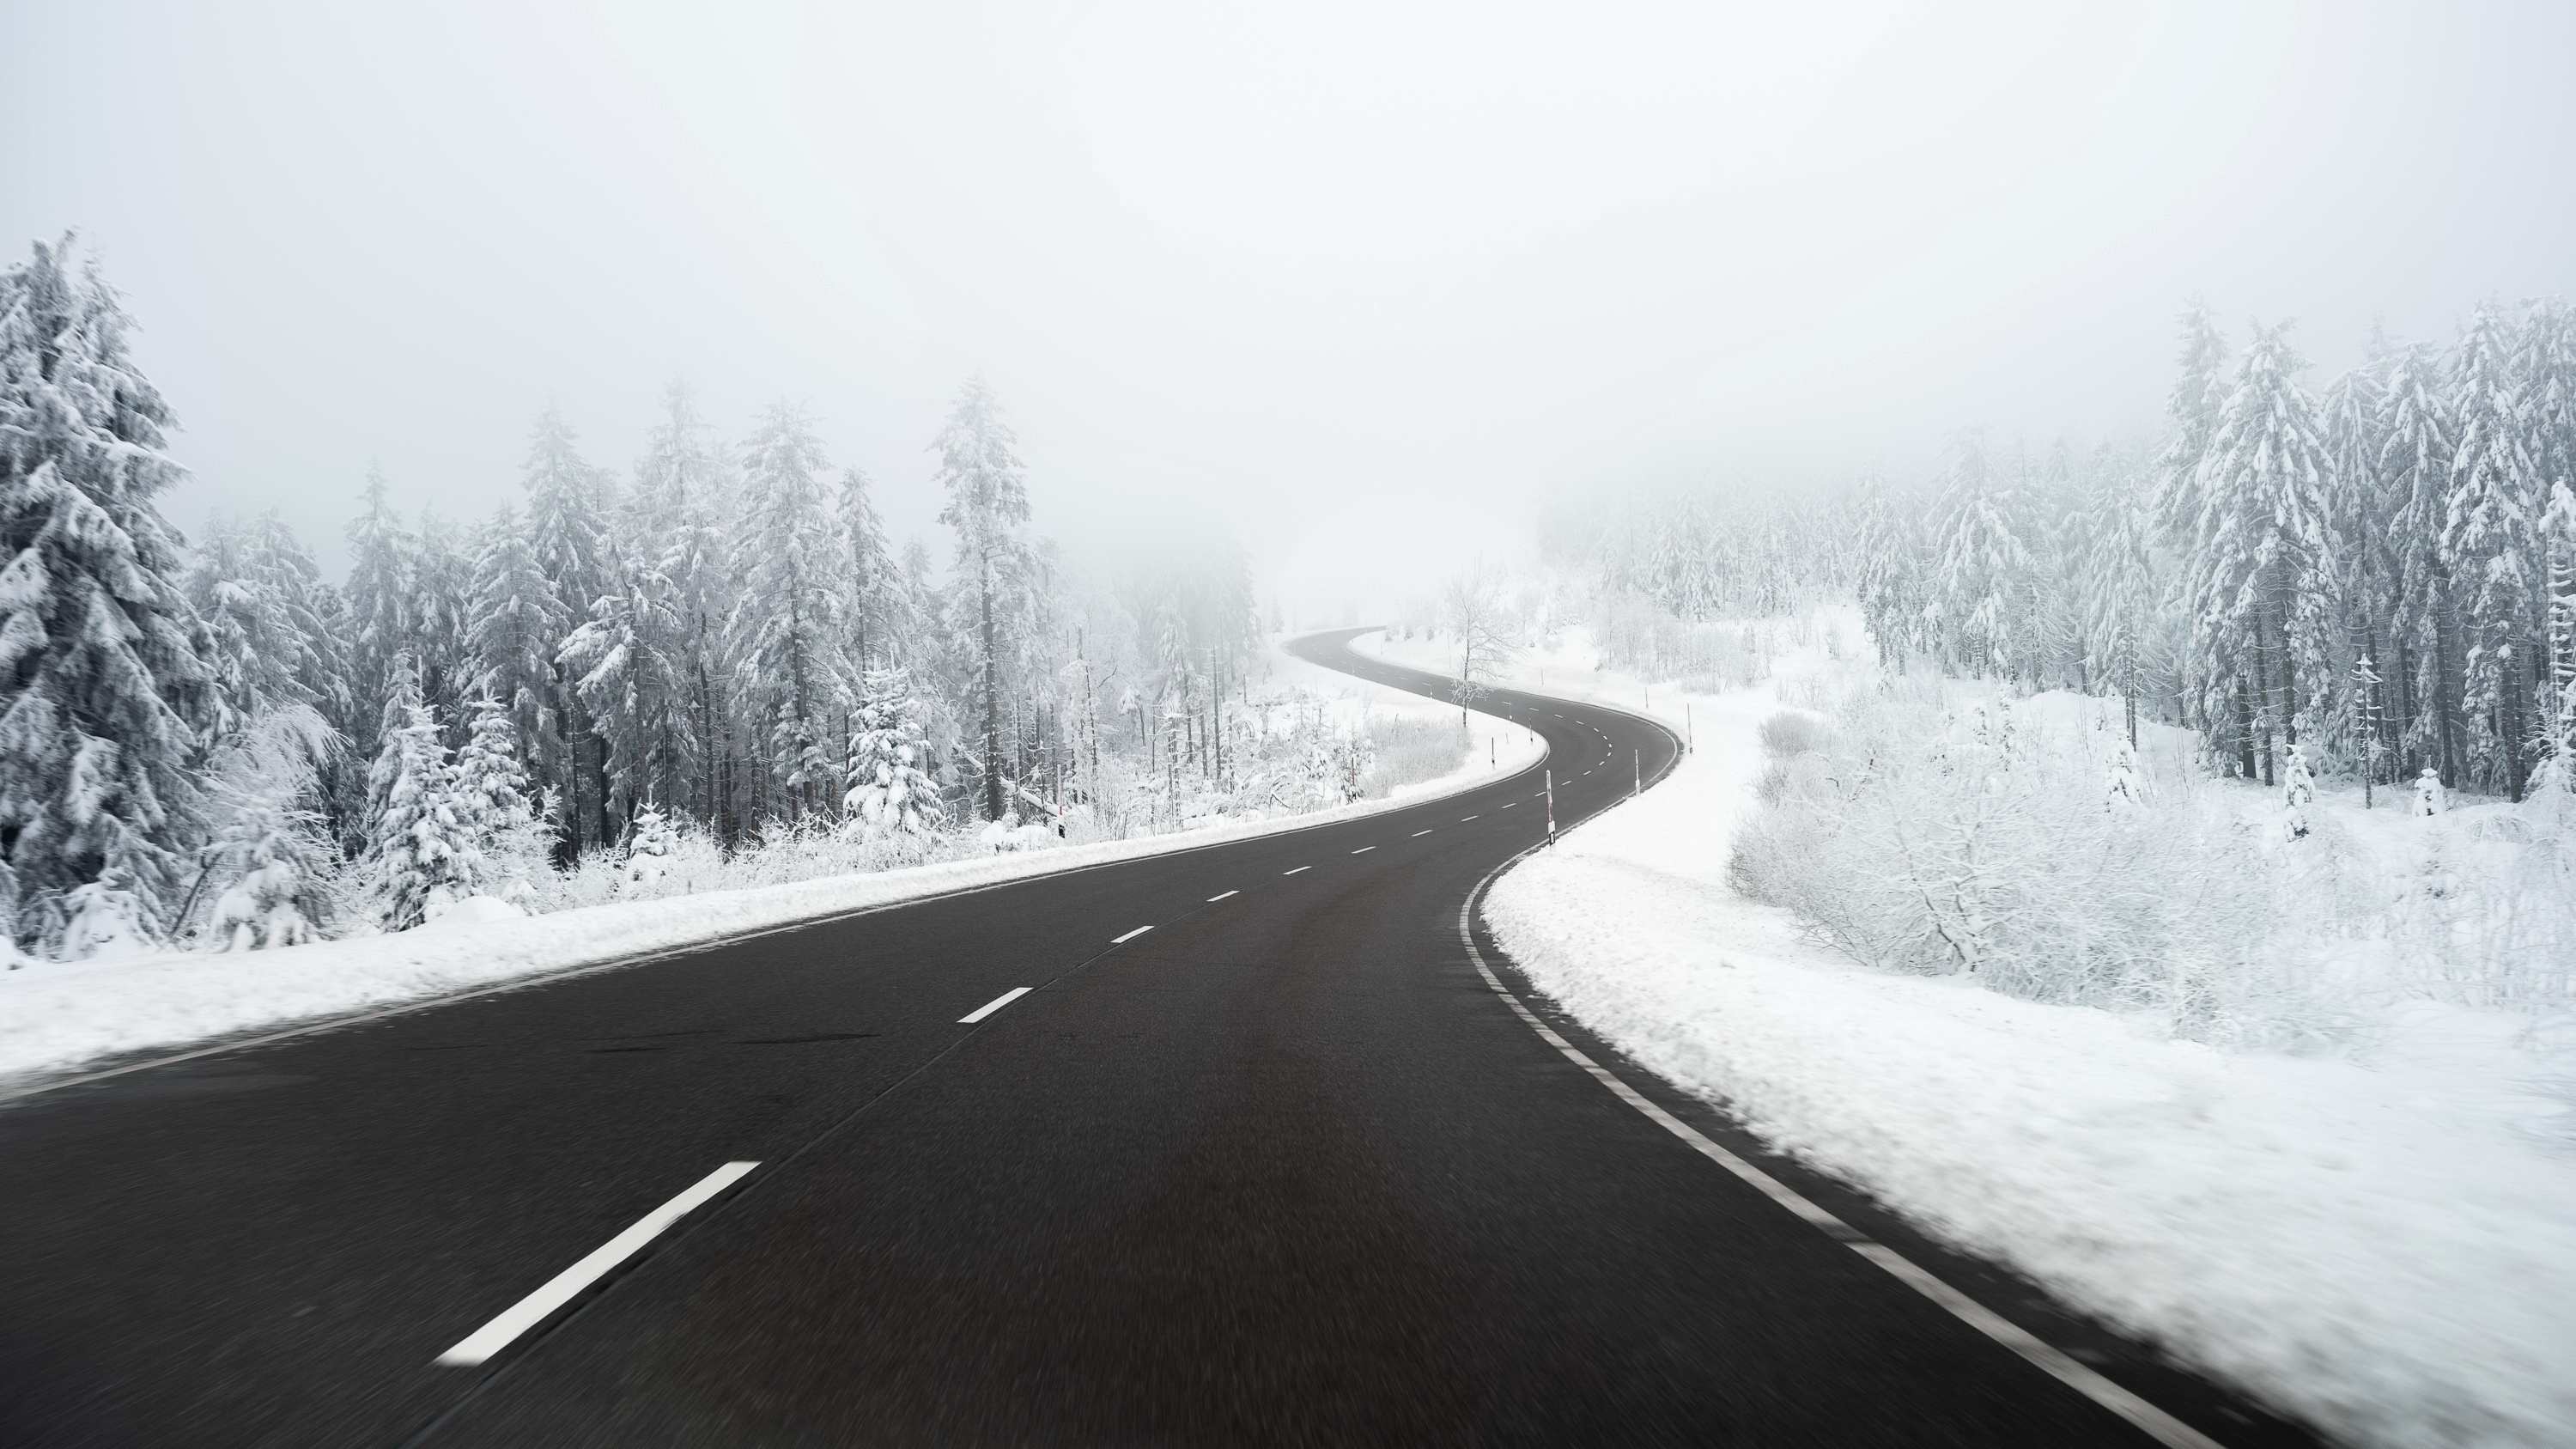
1926	844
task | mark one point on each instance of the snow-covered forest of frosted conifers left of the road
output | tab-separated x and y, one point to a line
715	669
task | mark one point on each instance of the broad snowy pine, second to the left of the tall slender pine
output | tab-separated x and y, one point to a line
790	630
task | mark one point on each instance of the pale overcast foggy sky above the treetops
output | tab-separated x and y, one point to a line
1356	282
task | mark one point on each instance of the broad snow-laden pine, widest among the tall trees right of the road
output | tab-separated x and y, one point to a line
2263	638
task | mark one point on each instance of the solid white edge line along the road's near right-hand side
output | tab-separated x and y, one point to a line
2036	1352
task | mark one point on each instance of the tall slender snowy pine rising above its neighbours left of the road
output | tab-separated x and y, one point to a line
988	504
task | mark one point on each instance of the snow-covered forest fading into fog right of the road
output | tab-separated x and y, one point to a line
2376	576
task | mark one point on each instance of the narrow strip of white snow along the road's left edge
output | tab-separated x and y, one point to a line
58	1017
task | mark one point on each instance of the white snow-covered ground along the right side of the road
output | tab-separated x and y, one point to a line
2376	1234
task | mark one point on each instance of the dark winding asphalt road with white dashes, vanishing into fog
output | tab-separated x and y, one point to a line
1256	1156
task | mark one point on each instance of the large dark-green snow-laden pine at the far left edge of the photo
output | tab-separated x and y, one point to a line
104	690
